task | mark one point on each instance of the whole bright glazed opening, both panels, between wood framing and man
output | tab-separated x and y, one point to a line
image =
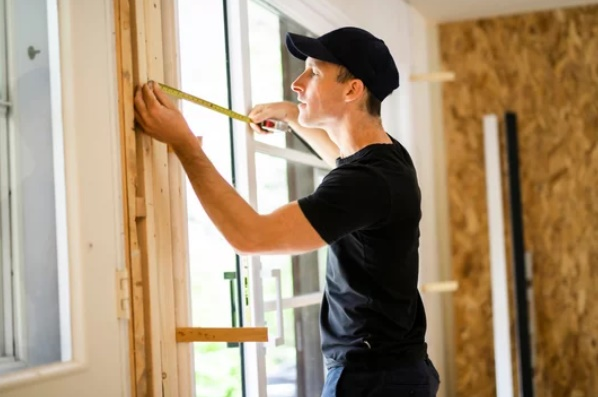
285	170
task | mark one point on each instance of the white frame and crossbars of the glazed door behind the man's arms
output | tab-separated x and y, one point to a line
246	148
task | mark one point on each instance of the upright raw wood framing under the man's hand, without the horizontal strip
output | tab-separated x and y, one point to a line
147	206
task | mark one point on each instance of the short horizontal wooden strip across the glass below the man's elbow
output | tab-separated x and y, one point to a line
199	334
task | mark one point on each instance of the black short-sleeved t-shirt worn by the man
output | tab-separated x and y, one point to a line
368	211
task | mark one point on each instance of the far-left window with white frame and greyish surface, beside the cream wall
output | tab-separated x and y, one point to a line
34	315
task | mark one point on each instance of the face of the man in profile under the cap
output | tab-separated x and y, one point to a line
320	94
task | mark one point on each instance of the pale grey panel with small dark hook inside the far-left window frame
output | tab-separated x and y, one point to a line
35	181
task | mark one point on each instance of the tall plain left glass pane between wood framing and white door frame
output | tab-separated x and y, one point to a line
218	370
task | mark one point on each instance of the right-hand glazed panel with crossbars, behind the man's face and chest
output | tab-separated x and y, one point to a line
295	367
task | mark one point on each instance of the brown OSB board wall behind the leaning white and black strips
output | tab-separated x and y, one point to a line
544	67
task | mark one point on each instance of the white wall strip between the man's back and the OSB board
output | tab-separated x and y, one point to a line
412	114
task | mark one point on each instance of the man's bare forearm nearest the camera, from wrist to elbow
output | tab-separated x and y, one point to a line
231	214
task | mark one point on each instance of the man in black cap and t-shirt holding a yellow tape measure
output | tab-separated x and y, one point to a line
367	210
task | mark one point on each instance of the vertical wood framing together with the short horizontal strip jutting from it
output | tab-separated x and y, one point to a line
154	210
